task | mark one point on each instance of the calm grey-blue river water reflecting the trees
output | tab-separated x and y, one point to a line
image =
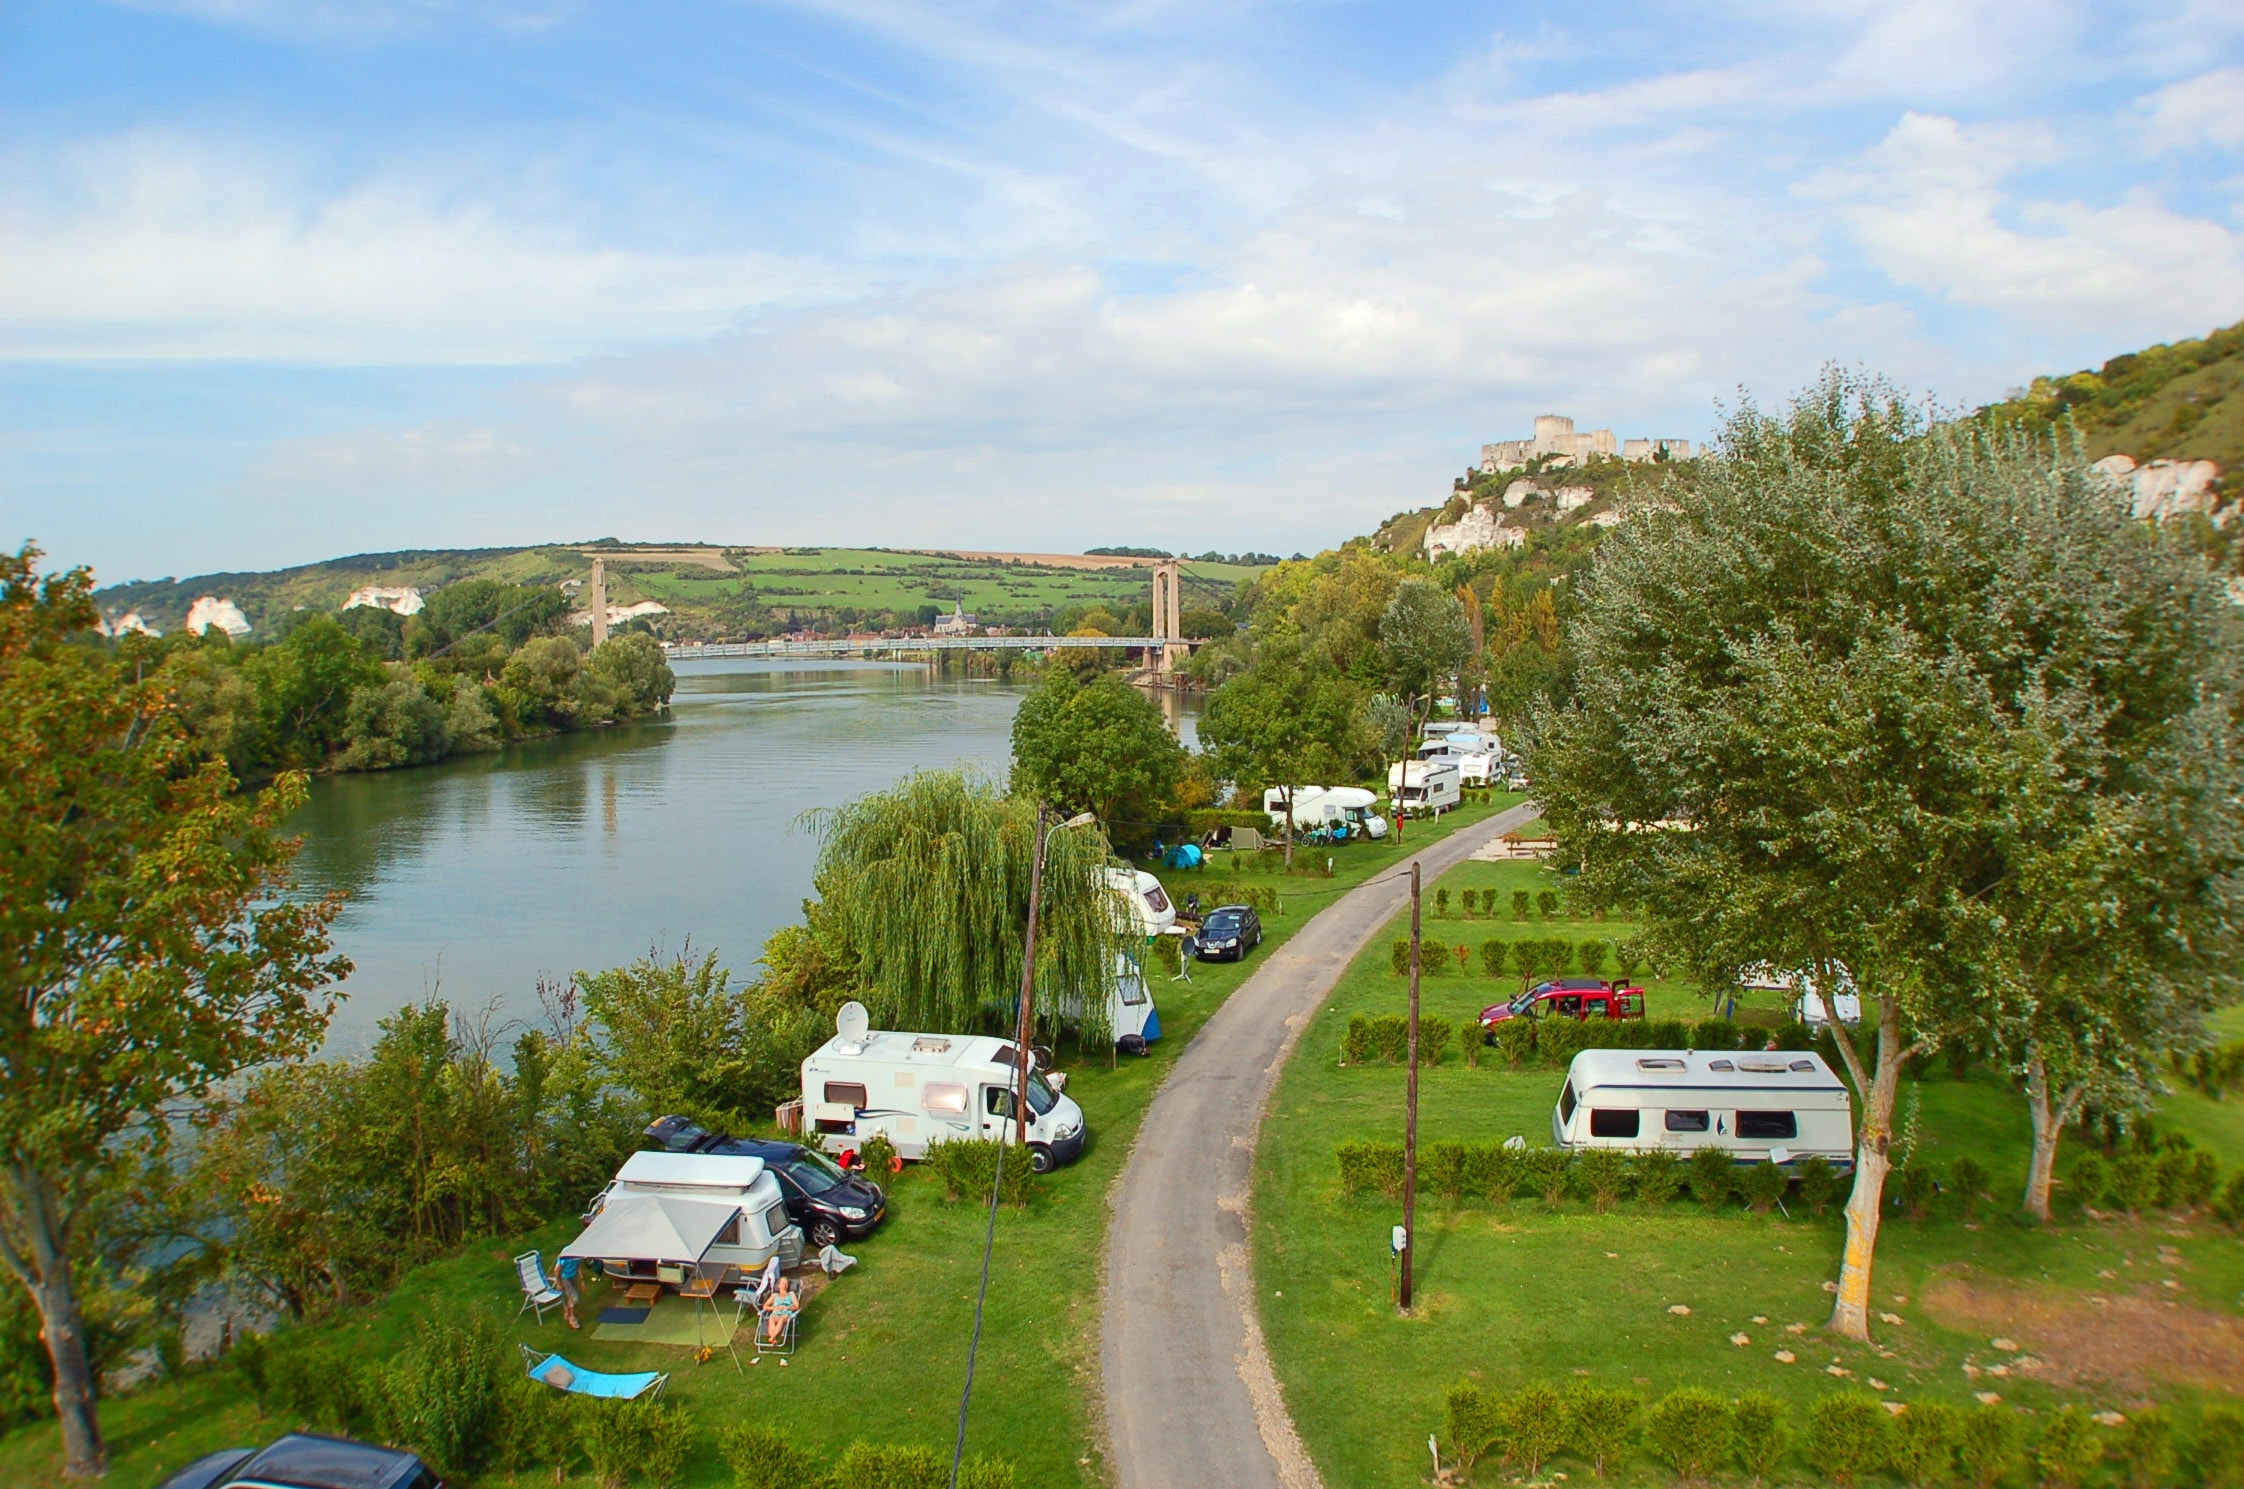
481	876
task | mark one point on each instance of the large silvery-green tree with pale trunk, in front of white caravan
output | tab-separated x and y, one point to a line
1825	651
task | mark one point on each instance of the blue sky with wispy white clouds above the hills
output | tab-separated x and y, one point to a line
293	279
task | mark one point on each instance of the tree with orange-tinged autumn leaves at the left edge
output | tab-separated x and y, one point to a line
147	947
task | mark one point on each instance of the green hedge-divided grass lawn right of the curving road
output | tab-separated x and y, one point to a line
1520	1293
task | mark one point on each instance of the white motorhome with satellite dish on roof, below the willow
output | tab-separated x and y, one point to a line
923	1089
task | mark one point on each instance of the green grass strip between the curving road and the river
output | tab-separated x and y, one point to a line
885	1349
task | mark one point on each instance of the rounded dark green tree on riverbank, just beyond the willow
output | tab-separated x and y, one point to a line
1094	746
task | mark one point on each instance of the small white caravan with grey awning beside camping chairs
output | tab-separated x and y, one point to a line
726	1210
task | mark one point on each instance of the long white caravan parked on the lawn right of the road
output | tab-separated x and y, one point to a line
1778	1107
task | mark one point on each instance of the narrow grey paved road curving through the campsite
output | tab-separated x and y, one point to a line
1190	1394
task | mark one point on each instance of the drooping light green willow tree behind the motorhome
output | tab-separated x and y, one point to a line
928	889
